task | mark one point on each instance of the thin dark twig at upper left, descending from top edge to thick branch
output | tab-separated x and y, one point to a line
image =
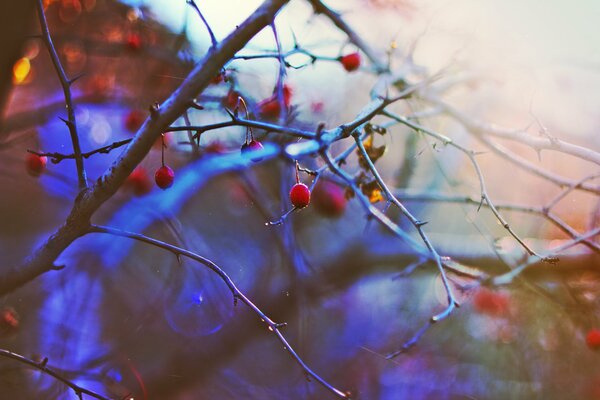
66	83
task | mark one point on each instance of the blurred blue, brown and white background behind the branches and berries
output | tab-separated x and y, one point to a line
127	319
